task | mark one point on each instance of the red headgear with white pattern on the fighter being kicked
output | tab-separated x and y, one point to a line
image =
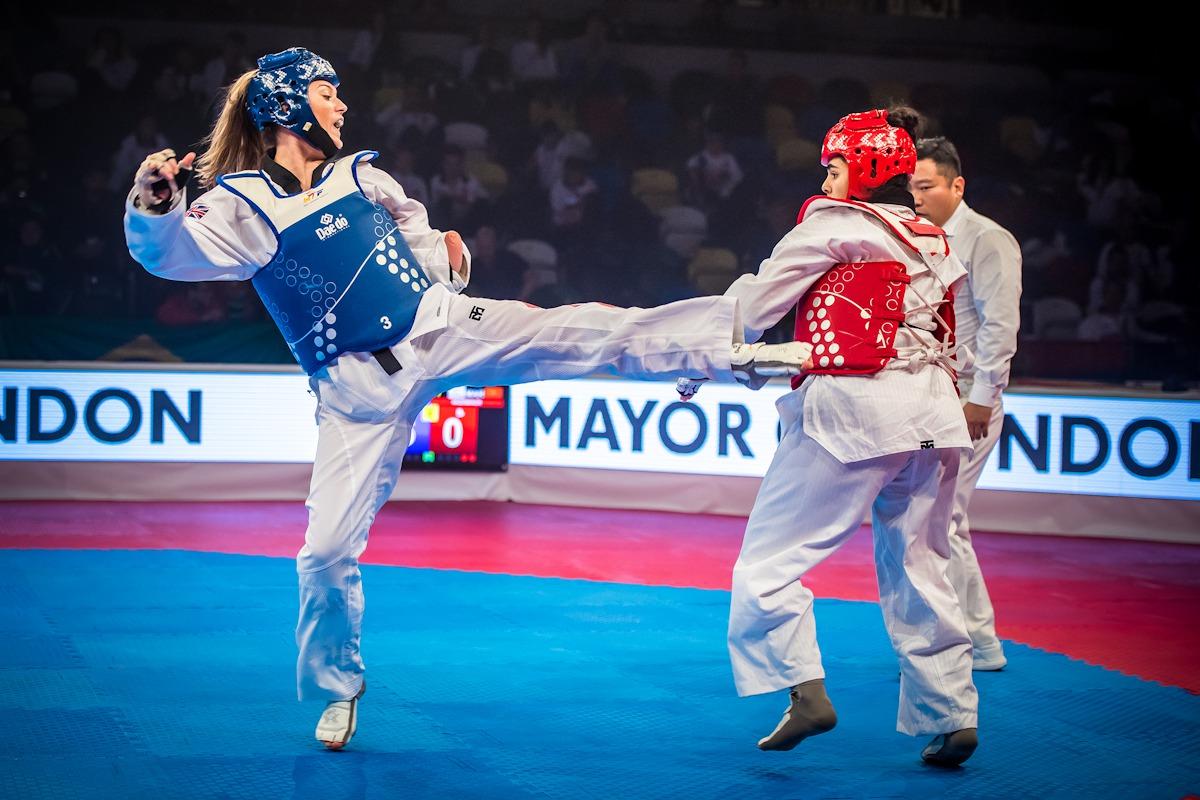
874	151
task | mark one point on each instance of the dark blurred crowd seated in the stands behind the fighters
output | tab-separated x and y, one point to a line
577	177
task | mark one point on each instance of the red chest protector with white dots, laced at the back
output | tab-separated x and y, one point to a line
853	314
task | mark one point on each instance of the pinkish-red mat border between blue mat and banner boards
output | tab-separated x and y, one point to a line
1124	605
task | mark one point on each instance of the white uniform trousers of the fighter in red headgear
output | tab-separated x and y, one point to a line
811	504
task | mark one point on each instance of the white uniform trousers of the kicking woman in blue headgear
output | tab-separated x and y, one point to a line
365	418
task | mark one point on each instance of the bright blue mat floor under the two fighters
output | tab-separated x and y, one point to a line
170	675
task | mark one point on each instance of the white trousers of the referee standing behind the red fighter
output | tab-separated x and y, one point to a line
964	572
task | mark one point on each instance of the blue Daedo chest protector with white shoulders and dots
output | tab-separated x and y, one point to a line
343	280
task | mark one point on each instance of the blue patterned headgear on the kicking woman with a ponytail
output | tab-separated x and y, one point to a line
279	95
